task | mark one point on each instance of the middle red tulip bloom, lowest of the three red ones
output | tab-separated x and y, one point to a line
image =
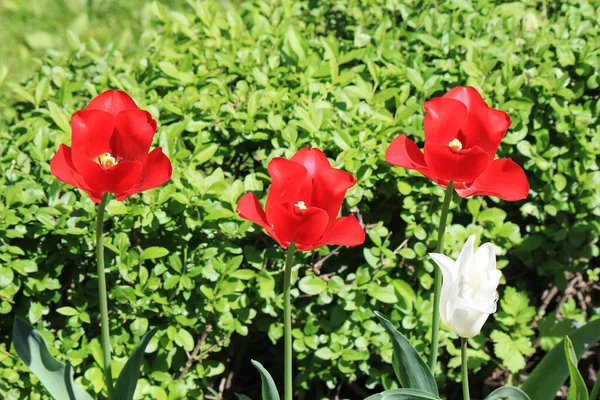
303	203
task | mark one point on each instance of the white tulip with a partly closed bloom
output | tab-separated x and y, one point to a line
468	288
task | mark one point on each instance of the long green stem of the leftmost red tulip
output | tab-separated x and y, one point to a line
102	297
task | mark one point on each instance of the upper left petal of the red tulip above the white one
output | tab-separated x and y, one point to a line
443	121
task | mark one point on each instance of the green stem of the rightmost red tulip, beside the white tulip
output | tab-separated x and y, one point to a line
435	326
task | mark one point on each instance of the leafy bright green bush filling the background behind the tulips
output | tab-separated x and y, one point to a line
233	85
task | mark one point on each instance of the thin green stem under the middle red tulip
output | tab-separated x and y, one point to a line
287	322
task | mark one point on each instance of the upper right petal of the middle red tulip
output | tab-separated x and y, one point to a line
329	190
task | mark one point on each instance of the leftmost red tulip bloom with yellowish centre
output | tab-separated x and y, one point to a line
109	149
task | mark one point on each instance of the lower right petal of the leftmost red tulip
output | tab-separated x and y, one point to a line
156	172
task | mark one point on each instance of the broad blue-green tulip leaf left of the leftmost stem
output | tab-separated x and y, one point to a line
56	377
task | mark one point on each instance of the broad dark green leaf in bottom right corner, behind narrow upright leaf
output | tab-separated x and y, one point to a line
550	374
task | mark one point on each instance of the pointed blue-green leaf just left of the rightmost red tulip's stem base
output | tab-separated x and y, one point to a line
411	370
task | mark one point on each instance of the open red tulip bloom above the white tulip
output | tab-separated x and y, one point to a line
462	135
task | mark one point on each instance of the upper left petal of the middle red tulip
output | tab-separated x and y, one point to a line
288	182
